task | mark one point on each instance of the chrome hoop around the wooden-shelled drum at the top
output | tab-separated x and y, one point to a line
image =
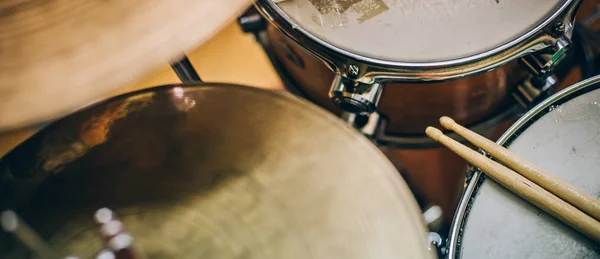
532	40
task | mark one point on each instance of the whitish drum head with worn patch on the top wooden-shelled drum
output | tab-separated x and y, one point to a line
417	30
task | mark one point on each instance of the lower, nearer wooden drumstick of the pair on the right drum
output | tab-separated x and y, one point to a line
523	187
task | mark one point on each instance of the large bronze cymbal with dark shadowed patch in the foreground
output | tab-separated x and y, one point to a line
213	171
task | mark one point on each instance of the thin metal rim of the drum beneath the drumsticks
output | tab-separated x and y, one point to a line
522	124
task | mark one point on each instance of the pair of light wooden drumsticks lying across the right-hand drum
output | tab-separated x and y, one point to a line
526	179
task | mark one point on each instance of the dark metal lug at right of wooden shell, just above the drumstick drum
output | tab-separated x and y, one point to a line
532	90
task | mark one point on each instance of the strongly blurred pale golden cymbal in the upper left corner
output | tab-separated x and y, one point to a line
58	56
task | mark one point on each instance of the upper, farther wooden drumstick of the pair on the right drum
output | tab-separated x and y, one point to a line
531	171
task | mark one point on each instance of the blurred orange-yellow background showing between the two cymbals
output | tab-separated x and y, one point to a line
231	56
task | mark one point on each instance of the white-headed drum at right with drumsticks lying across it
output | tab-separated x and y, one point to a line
562	135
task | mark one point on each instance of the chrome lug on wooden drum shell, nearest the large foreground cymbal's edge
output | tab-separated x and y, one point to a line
355	97
